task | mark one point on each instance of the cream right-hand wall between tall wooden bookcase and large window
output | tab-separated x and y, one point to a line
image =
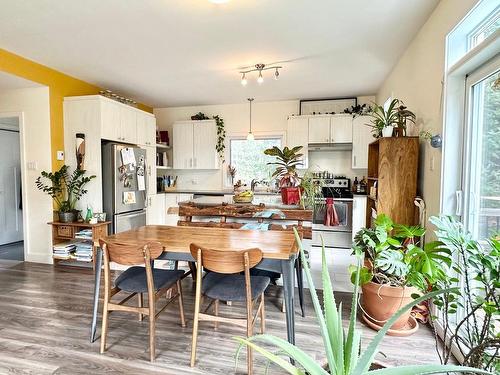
417	80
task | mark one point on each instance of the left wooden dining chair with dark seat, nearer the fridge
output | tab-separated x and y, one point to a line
137	280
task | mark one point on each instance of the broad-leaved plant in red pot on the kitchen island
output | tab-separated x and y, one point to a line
286	171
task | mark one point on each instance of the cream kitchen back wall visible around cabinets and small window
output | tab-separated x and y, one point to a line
267	117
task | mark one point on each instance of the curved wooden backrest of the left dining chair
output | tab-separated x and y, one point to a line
130	254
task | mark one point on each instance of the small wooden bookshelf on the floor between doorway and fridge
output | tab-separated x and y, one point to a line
64	232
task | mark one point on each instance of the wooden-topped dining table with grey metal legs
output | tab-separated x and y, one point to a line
279	250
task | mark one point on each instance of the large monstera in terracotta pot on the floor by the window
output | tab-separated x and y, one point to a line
395	269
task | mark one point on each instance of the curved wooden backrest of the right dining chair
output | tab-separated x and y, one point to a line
226	261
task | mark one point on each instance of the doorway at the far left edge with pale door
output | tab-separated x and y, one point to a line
11	204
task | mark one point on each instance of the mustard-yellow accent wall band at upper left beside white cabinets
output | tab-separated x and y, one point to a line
60	85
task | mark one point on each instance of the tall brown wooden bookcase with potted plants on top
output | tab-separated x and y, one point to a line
393	170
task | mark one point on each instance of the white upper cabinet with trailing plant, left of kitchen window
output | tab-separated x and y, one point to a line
194	145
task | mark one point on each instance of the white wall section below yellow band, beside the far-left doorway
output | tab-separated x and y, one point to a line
33	103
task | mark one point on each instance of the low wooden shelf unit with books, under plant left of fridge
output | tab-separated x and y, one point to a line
82	233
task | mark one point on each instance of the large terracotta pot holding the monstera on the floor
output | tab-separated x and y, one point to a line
380	302
